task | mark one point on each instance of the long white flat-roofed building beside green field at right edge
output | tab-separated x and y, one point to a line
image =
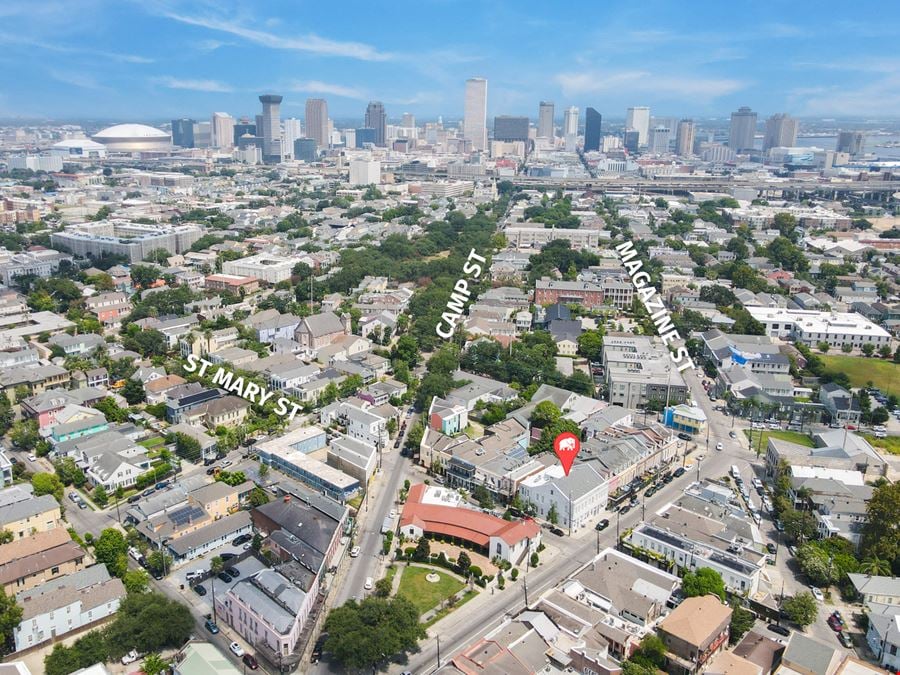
811	327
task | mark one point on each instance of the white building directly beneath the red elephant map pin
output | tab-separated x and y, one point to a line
579	498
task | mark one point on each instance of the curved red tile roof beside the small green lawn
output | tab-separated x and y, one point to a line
474	526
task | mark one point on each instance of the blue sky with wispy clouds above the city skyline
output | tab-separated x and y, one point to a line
126	60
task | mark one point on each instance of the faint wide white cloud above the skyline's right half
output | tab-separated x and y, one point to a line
645	82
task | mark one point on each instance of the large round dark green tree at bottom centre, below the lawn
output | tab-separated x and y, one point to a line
363	635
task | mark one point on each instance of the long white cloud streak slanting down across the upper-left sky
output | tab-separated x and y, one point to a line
307	43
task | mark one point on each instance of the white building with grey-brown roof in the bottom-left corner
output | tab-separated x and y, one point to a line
66	604
